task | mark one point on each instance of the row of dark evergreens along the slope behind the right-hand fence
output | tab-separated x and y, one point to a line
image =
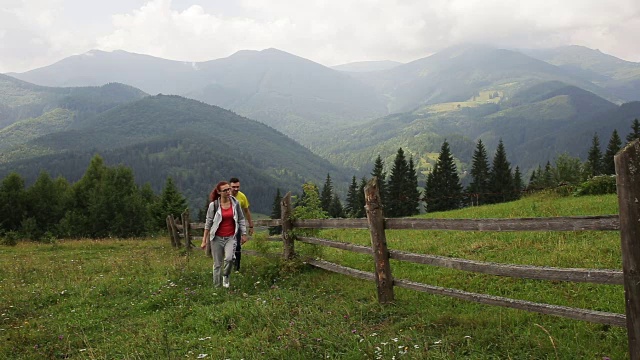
491	183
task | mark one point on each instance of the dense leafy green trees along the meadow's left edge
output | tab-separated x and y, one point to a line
105	202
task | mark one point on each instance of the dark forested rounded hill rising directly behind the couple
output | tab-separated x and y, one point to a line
194	143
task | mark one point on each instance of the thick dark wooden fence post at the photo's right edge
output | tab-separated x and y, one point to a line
627	163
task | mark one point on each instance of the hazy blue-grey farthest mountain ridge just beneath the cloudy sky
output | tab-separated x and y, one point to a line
304	99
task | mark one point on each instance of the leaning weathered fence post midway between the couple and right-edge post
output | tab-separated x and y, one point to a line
375	217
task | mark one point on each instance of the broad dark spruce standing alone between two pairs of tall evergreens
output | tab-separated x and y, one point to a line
443	191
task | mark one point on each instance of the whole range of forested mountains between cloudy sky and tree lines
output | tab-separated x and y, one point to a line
539	102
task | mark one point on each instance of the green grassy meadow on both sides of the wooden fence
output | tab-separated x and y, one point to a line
141	299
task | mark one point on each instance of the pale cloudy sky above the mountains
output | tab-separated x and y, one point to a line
36	33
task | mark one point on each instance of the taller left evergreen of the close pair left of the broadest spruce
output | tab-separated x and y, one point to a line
397	186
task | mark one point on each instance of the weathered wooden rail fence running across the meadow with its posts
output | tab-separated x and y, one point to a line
628	223
